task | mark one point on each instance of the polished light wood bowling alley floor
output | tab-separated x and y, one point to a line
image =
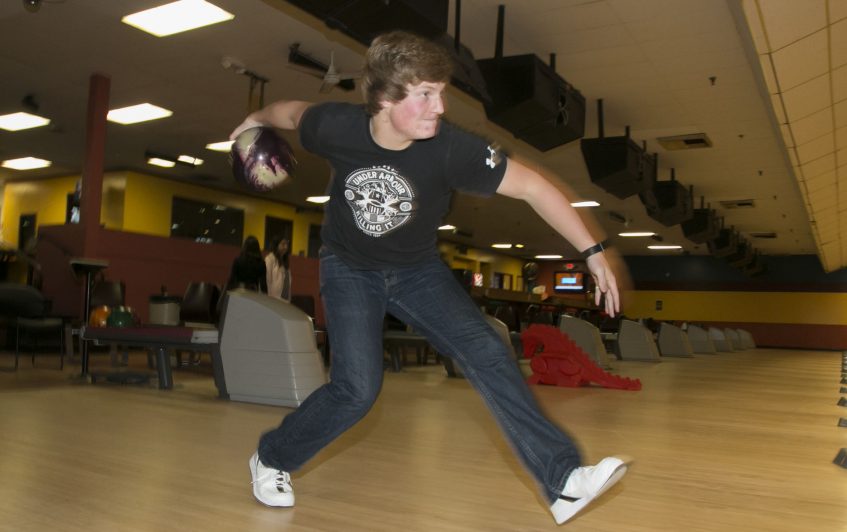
730	442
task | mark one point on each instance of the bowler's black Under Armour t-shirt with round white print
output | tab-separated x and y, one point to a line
385	206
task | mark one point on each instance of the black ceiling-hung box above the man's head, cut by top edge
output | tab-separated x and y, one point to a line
365	19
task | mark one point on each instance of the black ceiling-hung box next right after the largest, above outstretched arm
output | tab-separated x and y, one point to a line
617	164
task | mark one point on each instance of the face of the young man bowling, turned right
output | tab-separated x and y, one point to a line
416	116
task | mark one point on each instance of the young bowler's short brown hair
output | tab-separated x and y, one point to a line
397	59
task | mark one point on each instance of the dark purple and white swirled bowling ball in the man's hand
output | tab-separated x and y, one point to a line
261	159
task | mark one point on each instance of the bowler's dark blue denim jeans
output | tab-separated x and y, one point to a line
429	298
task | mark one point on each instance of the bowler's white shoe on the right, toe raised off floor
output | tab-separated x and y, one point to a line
586	484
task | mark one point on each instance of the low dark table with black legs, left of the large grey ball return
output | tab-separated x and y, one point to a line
161	338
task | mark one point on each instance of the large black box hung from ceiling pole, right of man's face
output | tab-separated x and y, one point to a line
529	99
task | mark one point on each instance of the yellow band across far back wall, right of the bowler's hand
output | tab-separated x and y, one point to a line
749	307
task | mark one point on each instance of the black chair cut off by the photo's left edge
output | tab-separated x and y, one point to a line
27	312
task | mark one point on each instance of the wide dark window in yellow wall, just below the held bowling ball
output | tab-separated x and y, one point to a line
206	222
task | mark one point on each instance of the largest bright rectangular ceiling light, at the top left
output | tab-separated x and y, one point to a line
177	17
